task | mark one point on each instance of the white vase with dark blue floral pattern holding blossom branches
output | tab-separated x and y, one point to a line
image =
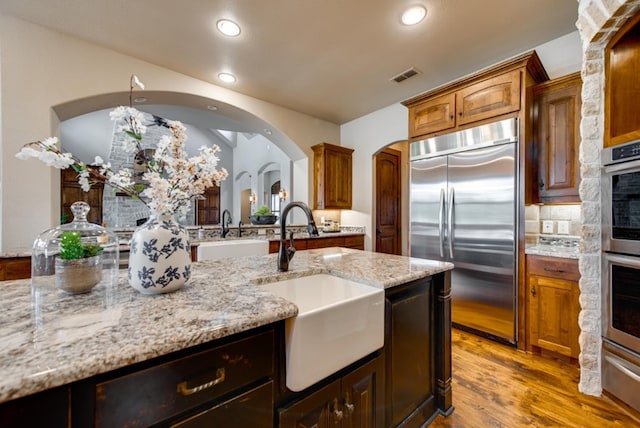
160	256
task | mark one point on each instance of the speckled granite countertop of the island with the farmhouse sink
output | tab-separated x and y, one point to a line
51	339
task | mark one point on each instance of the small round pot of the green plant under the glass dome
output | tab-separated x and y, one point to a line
79	275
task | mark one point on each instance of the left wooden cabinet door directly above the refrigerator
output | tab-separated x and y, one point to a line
433	115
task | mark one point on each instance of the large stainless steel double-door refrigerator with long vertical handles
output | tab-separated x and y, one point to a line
464	210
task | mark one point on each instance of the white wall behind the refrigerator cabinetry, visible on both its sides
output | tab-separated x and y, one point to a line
370	133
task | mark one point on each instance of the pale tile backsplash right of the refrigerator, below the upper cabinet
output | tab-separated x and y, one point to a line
551	220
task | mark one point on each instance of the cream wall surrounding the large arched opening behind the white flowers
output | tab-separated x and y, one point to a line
41	69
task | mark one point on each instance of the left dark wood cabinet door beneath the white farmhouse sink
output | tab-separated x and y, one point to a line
314	411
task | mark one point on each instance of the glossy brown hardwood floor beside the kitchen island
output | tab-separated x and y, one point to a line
497	386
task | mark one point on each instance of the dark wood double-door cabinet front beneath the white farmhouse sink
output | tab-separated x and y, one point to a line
356	400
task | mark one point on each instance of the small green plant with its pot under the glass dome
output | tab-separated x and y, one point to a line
78	266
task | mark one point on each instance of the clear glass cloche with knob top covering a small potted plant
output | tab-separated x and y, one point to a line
75	257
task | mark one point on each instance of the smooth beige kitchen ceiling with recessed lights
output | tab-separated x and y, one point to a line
332	59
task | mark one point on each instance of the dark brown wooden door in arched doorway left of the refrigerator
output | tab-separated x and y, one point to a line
388	202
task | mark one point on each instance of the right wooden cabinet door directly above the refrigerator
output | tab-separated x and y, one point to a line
489	98
